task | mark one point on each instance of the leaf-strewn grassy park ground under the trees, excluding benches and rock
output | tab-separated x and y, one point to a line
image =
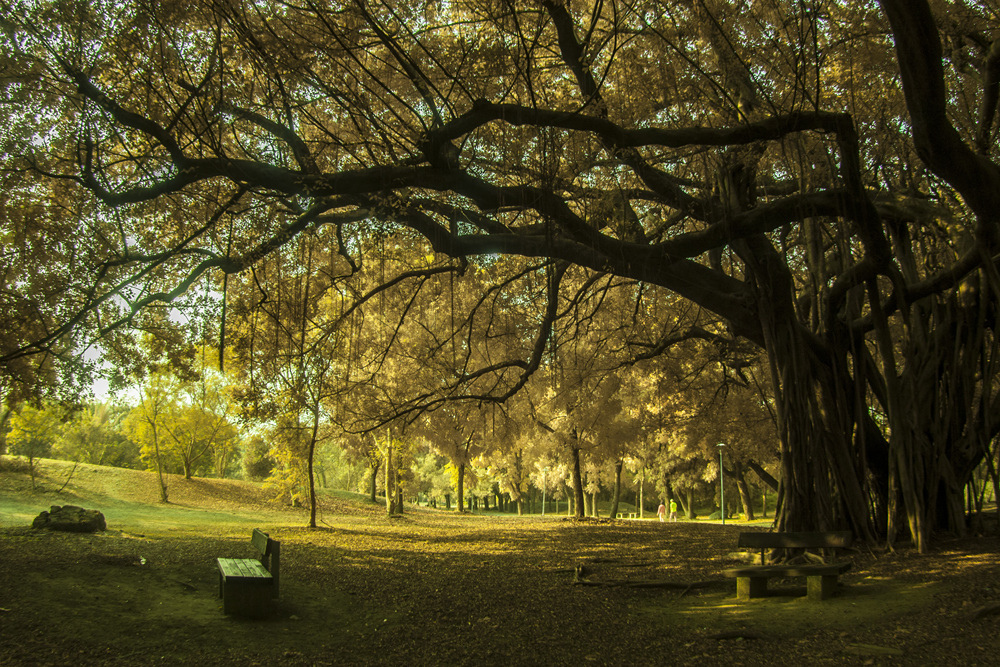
438	588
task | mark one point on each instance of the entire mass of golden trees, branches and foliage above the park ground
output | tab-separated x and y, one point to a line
538	242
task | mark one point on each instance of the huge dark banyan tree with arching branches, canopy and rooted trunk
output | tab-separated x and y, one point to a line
817	174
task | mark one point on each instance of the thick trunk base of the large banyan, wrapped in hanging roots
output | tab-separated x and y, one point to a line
838	472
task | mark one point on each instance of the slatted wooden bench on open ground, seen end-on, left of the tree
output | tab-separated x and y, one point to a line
249	586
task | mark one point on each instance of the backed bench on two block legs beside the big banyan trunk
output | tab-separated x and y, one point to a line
821	577
